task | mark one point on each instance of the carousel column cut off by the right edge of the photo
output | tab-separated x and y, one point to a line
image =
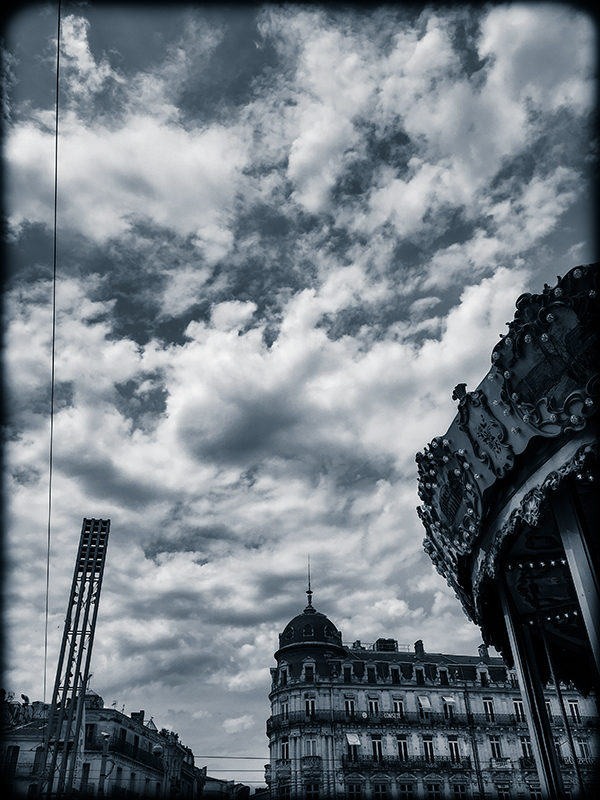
581	566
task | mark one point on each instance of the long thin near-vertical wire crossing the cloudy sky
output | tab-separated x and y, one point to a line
52	359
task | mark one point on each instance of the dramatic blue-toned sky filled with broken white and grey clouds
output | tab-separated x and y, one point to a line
284	234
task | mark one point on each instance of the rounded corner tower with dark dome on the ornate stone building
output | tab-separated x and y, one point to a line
301	726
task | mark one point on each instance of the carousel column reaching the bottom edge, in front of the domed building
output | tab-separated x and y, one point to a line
534	701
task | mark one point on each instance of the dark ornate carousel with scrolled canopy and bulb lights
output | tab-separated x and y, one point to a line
511	503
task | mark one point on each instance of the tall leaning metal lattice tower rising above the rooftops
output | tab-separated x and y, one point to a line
72	674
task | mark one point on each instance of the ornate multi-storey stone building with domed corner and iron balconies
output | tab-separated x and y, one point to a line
386	721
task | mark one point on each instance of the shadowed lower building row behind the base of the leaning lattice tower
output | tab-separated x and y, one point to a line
118	755
